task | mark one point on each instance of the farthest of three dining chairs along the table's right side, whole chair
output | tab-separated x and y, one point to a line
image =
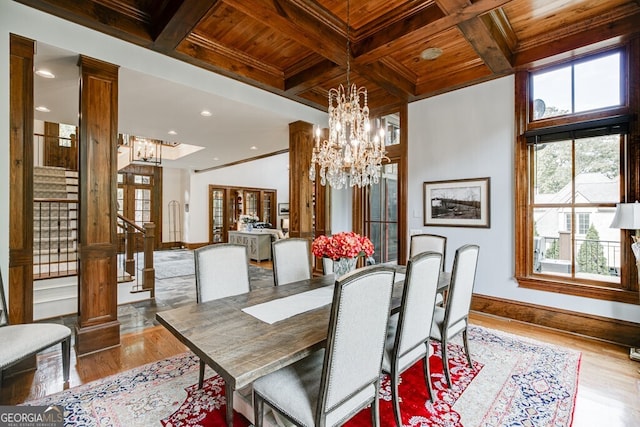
452	319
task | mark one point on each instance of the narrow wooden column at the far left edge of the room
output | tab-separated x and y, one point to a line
20	277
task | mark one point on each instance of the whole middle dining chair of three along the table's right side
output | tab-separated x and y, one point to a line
408	331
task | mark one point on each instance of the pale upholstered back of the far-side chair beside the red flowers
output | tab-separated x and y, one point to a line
291	260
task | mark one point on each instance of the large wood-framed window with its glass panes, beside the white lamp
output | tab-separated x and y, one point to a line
574	142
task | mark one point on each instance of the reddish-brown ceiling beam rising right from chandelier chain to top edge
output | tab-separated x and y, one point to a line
371	50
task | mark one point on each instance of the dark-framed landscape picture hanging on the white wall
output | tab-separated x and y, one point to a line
457	203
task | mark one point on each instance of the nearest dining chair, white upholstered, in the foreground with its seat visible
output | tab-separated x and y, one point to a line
333	384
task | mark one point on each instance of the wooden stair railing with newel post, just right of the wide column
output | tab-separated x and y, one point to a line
131	260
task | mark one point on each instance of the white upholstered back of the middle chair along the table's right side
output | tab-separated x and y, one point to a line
418	302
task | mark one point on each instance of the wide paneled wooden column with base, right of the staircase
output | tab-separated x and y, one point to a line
98	327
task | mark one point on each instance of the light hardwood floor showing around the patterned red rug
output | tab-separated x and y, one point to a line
608	389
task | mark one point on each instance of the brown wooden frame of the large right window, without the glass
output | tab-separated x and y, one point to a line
629	169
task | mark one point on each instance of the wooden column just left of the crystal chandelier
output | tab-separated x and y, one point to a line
300	186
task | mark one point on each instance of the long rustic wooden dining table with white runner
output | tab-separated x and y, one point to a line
242	348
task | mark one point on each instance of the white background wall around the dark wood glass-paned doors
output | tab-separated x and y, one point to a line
271	172
